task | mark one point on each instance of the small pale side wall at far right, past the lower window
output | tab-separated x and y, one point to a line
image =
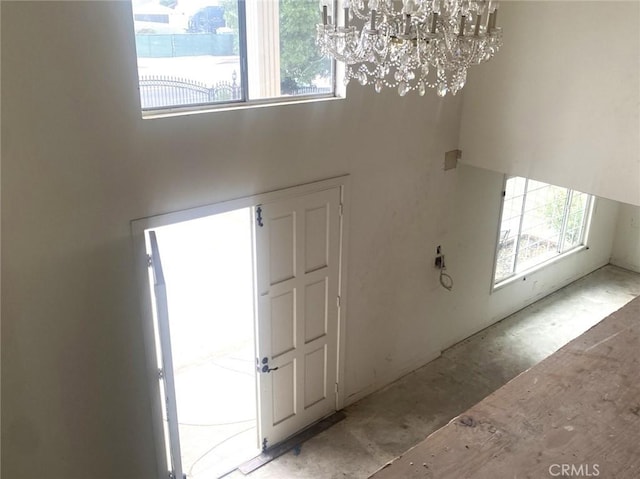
626	248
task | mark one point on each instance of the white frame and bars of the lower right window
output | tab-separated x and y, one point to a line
521	275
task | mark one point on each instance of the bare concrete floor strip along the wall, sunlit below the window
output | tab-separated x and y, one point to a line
391	421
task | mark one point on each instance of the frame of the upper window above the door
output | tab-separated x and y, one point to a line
245	102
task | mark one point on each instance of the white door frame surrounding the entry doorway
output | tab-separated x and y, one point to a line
141	273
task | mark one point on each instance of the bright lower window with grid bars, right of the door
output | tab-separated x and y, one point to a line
539	223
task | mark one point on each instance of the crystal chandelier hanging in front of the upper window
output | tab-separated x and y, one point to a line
410	45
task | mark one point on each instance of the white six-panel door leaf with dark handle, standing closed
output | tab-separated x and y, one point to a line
297	244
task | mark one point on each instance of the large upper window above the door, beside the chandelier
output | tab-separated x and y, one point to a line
195	53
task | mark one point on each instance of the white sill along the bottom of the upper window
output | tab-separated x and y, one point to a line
225	107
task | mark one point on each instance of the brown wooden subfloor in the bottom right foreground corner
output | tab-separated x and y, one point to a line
575	414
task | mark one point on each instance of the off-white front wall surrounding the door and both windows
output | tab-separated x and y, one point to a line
78	164
